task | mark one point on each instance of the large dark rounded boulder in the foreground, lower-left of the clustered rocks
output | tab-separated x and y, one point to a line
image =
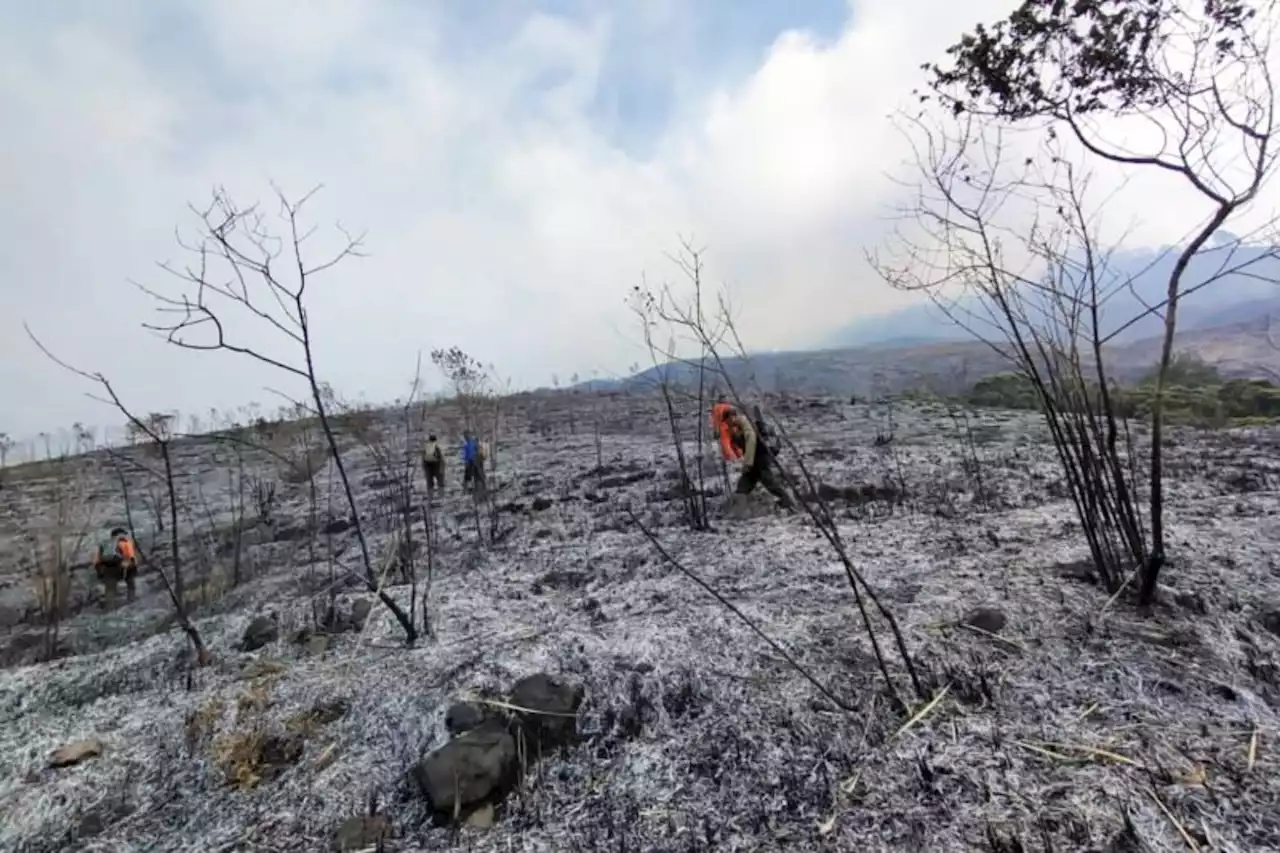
477	768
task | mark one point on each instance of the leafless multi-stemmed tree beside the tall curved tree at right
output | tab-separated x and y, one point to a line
1044	314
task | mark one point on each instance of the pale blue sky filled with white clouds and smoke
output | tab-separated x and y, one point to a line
516	170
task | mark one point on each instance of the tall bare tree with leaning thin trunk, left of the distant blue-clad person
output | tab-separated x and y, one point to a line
240	266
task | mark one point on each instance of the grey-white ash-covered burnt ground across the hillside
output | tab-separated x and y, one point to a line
1084	726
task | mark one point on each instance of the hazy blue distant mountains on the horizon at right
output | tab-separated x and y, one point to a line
1226	323
